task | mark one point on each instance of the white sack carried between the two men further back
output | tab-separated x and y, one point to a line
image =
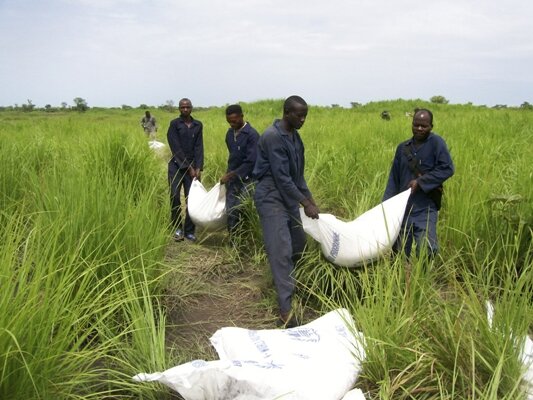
207	209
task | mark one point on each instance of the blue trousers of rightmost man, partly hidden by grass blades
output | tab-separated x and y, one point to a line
419	227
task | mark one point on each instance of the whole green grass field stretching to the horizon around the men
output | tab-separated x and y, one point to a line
84	226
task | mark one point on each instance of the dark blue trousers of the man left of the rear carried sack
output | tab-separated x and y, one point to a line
178	178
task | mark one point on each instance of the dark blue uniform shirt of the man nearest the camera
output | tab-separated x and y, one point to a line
280	164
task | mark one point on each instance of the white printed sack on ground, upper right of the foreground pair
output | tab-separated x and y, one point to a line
317	360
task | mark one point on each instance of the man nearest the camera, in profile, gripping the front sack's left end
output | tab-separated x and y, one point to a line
281	188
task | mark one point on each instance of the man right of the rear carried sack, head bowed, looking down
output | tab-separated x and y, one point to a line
241	141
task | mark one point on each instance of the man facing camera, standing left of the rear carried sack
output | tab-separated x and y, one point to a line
185	138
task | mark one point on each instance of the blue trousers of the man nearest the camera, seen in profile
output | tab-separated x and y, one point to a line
284	240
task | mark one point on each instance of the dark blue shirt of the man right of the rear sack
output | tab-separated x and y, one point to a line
242	151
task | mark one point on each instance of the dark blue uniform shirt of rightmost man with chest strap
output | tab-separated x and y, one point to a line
434	161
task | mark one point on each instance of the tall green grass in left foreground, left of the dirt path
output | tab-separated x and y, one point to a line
83	231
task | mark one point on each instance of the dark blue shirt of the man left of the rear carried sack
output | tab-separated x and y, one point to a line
186	143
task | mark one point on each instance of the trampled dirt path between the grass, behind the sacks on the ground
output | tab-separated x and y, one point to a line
210	289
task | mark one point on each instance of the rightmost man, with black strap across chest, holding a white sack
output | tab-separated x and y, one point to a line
421	163
